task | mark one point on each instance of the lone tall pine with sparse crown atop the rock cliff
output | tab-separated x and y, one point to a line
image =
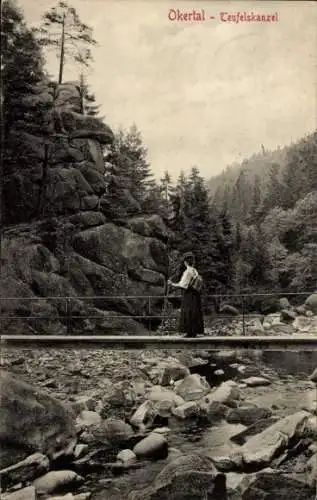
63	31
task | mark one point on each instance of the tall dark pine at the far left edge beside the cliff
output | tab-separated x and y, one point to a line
23	112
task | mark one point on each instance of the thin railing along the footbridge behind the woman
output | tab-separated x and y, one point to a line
159	314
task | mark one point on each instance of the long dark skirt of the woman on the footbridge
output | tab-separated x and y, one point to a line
191	320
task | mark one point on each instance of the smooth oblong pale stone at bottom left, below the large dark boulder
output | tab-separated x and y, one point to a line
54	480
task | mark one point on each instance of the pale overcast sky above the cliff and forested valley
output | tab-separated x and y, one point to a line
205	94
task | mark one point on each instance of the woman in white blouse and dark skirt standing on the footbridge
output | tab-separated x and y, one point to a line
191	320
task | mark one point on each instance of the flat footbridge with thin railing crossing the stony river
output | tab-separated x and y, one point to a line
153	340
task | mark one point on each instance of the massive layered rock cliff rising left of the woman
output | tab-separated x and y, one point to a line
64	246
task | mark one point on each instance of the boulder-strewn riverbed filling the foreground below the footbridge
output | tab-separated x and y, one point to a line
157	424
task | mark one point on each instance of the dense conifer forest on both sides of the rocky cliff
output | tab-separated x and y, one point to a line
254	228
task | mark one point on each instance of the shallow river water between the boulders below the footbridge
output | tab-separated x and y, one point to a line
214	439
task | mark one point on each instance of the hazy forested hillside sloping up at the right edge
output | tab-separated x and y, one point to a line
274	215
